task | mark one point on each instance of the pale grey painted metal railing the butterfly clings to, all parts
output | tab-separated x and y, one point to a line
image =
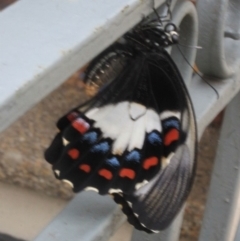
43	42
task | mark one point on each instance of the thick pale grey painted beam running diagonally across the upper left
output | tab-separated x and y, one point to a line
44	42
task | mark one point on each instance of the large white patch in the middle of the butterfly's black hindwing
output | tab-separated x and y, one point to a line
115	121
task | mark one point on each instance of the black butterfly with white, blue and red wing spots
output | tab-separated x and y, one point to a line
136	139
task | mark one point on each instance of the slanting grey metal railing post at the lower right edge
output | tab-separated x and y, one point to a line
223	204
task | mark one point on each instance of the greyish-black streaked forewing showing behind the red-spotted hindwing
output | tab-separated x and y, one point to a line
153	207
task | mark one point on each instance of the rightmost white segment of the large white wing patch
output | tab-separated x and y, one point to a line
152	121
